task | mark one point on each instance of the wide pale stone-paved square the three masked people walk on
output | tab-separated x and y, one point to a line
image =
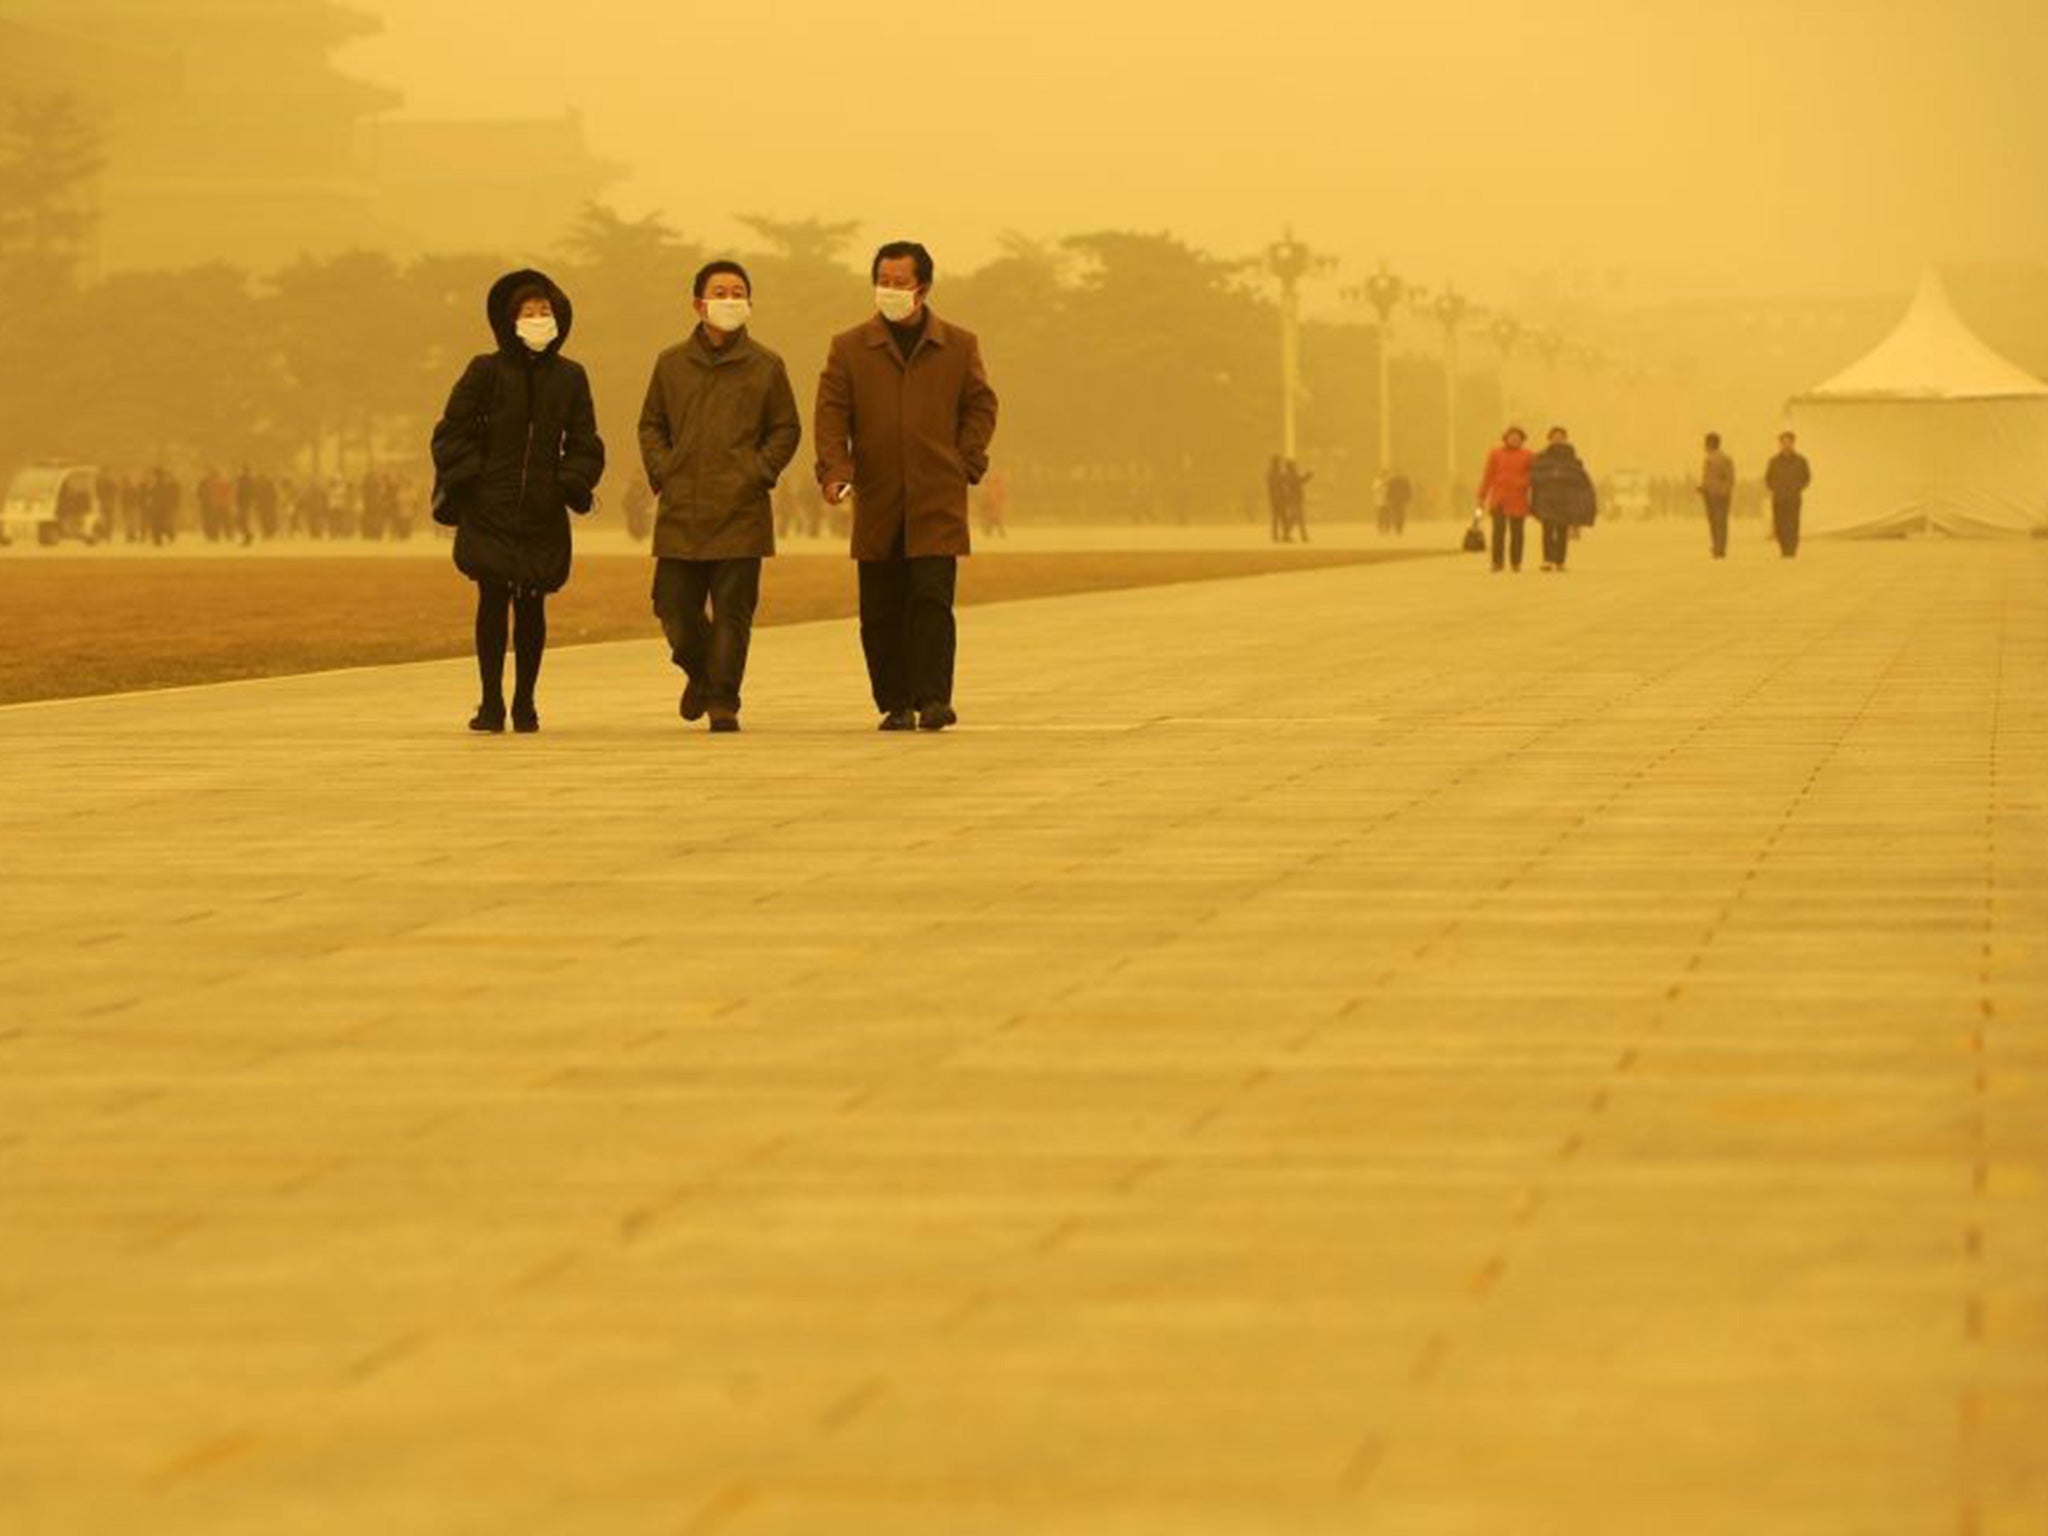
1363	1052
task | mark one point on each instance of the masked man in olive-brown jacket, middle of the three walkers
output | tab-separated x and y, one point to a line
718	431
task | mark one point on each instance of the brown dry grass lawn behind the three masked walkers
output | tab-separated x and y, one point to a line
120	624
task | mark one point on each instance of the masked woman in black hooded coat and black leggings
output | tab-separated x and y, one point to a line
515	452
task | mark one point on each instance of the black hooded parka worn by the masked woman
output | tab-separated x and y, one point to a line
517	450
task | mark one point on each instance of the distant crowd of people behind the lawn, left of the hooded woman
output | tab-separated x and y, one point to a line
251	507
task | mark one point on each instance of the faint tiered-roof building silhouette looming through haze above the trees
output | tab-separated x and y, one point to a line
232	136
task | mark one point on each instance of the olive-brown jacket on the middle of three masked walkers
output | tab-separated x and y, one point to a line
718	431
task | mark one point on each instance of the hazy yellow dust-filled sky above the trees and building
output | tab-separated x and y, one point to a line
1699	146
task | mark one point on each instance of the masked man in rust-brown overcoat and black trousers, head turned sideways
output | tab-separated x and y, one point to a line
904	427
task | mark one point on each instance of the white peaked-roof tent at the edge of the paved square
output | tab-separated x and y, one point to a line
1932	433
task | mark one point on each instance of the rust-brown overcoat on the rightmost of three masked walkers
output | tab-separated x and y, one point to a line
908	437
